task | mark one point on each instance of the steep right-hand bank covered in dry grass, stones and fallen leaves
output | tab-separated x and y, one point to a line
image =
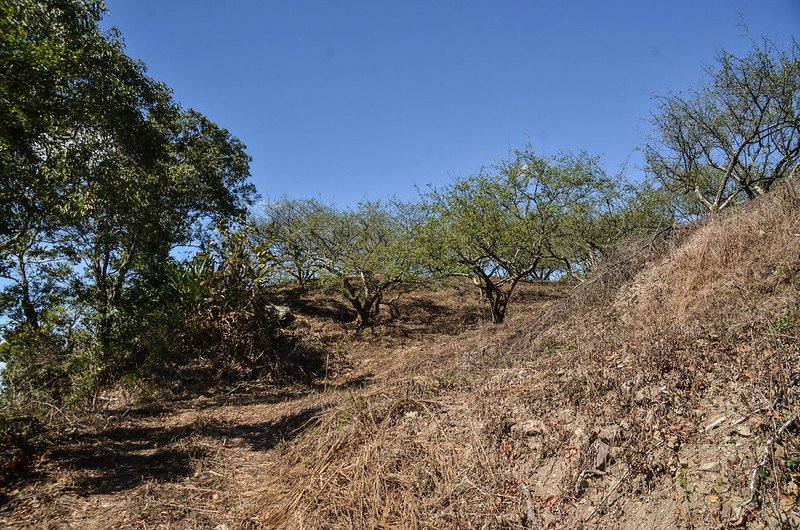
500	427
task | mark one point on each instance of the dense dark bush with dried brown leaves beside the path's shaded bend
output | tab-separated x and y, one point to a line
214	316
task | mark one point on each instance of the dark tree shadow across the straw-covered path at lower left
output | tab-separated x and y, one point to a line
120	458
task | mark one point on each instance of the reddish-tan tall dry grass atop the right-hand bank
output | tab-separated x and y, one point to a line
742	260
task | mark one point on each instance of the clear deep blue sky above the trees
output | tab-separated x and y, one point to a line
352	100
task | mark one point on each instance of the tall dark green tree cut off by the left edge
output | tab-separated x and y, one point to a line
64	86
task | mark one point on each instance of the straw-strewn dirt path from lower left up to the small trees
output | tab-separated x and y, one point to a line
203	461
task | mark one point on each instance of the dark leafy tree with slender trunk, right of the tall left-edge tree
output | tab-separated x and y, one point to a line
131	217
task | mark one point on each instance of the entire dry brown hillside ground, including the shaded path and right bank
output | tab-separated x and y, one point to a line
663	392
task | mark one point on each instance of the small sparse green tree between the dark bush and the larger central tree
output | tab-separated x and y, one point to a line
365	253
